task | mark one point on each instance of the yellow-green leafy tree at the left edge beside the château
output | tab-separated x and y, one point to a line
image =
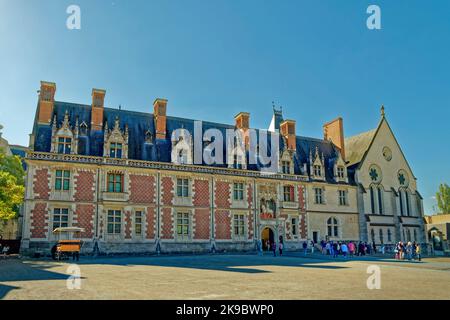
12	187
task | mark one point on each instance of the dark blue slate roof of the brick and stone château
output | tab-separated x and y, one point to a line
160	149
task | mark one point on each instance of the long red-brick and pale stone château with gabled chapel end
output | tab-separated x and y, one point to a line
134	185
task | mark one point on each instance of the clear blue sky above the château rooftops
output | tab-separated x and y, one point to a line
214	58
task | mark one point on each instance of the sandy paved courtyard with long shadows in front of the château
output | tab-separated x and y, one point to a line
225	277
